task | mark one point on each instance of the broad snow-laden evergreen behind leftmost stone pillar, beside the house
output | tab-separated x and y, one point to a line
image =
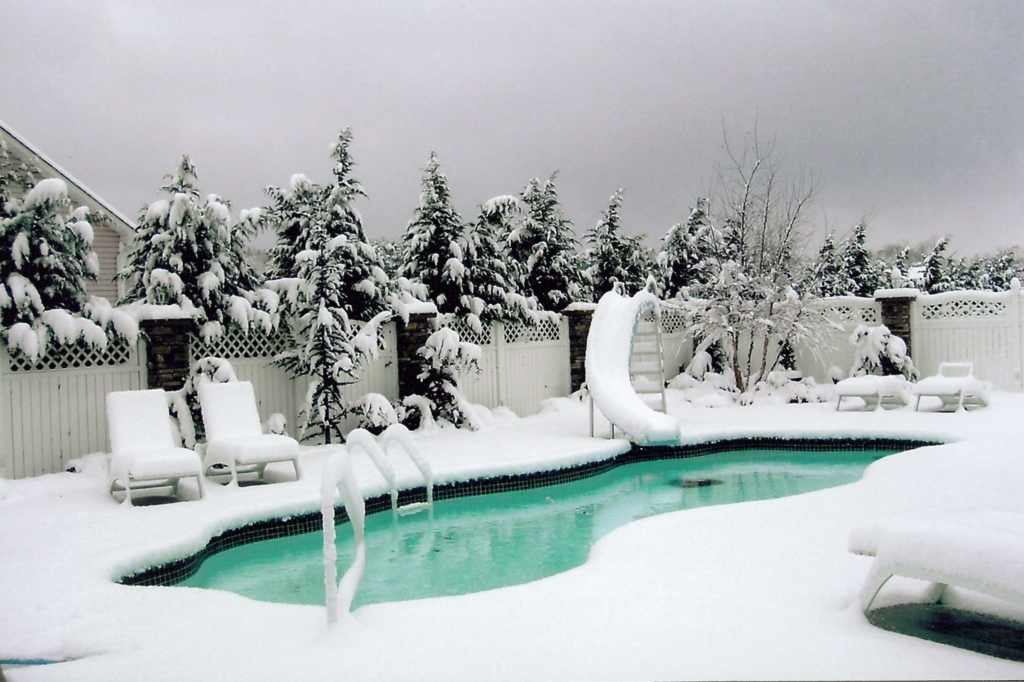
188	252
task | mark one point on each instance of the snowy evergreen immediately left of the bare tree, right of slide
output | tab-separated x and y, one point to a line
686	251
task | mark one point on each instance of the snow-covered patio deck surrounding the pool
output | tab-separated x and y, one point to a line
755	590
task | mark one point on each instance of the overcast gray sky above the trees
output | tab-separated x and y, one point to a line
911	113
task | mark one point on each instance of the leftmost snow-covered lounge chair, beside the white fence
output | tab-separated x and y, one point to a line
146	452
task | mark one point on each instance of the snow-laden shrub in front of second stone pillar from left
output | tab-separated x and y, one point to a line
446	360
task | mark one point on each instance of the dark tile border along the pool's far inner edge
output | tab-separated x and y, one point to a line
176	572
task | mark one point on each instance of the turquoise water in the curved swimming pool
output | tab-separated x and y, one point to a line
487	542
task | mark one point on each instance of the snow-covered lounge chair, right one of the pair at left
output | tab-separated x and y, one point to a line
234	435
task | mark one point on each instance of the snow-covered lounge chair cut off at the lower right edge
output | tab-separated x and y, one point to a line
983	551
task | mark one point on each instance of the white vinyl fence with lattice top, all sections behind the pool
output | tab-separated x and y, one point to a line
55	411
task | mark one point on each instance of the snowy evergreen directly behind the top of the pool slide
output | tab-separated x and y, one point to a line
615	258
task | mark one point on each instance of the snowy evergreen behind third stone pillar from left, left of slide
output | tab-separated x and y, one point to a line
544	247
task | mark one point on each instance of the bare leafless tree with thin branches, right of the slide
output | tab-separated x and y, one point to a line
750	305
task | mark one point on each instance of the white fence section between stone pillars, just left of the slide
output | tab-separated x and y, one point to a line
521	365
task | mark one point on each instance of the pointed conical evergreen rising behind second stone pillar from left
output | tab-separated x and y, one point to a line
433	243
